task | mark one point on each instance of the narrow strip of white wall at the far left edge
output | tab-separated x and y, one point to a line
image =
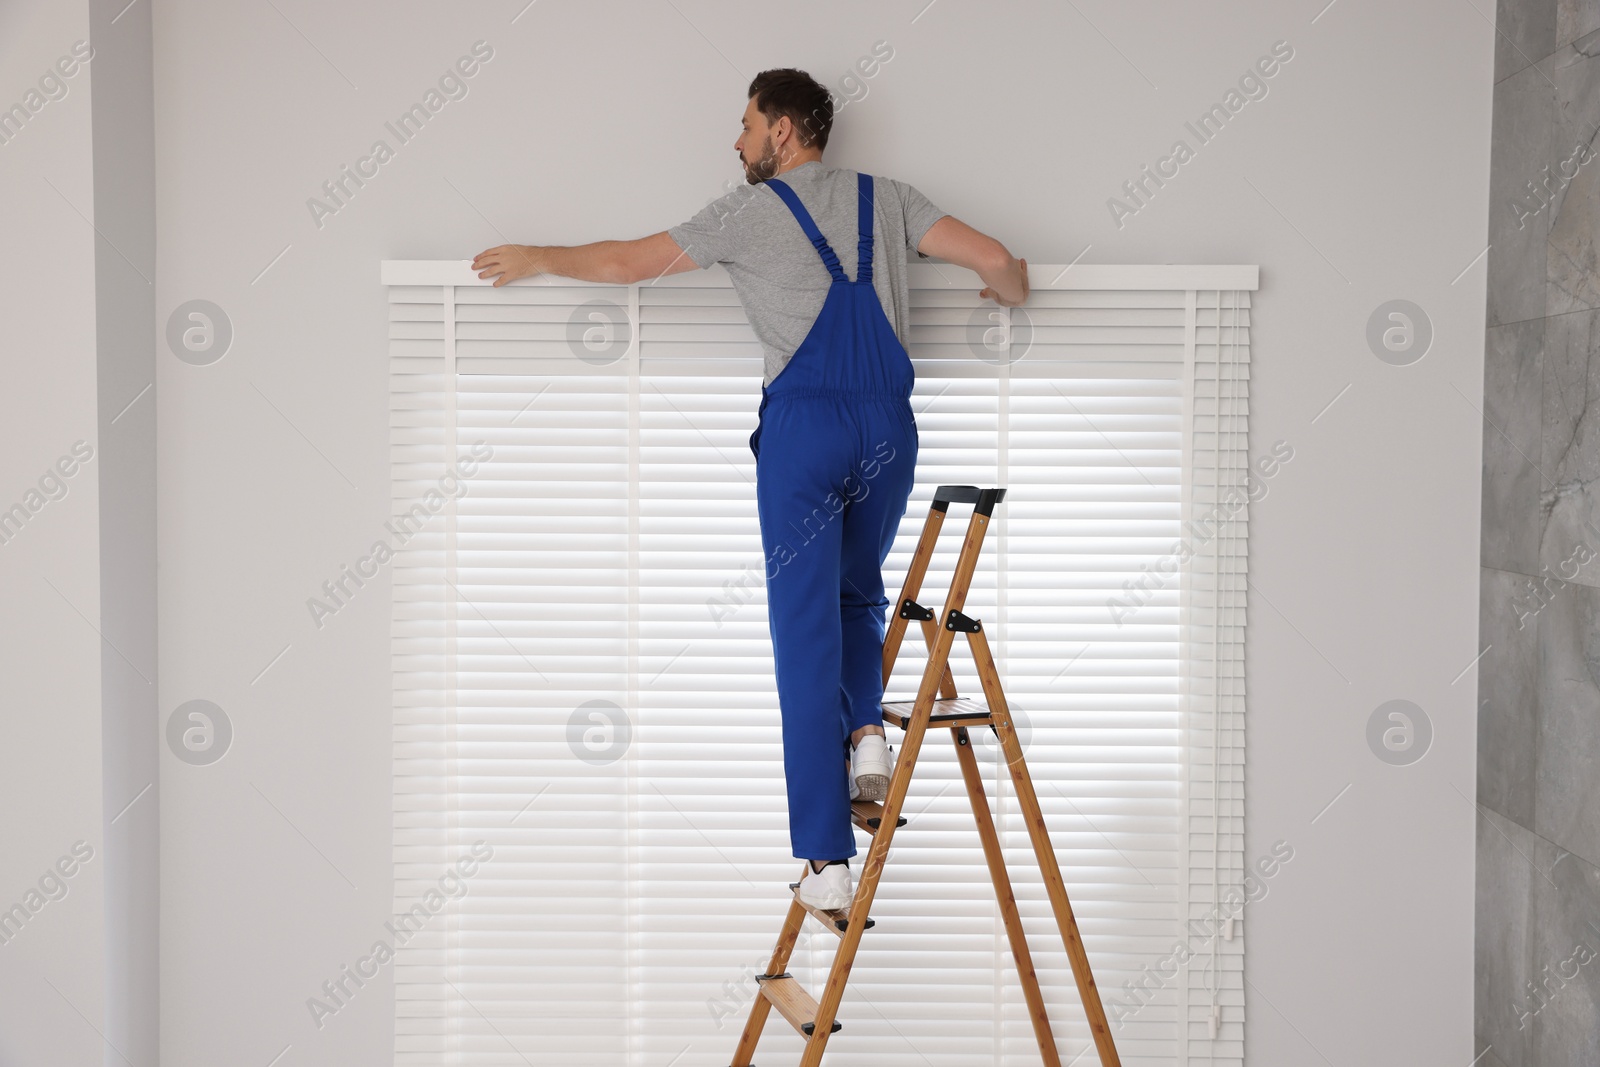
52	970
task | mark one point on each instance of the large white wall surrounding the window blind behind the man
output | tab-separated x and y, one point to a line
1362	177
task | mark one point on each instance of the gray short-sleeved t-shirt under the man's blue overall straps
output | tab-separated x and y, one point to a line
775	270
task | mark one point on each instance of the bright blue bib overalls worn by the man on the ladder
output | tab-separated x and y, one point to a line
836	458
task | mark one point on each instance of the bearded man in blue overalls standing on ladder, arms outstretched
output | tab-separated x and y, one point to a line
836	444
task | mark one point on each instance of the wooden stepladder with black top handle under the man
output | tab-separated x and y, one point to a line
937	705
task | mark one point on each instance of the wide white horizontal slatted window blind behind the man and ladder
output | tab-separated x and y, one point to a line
583	671
